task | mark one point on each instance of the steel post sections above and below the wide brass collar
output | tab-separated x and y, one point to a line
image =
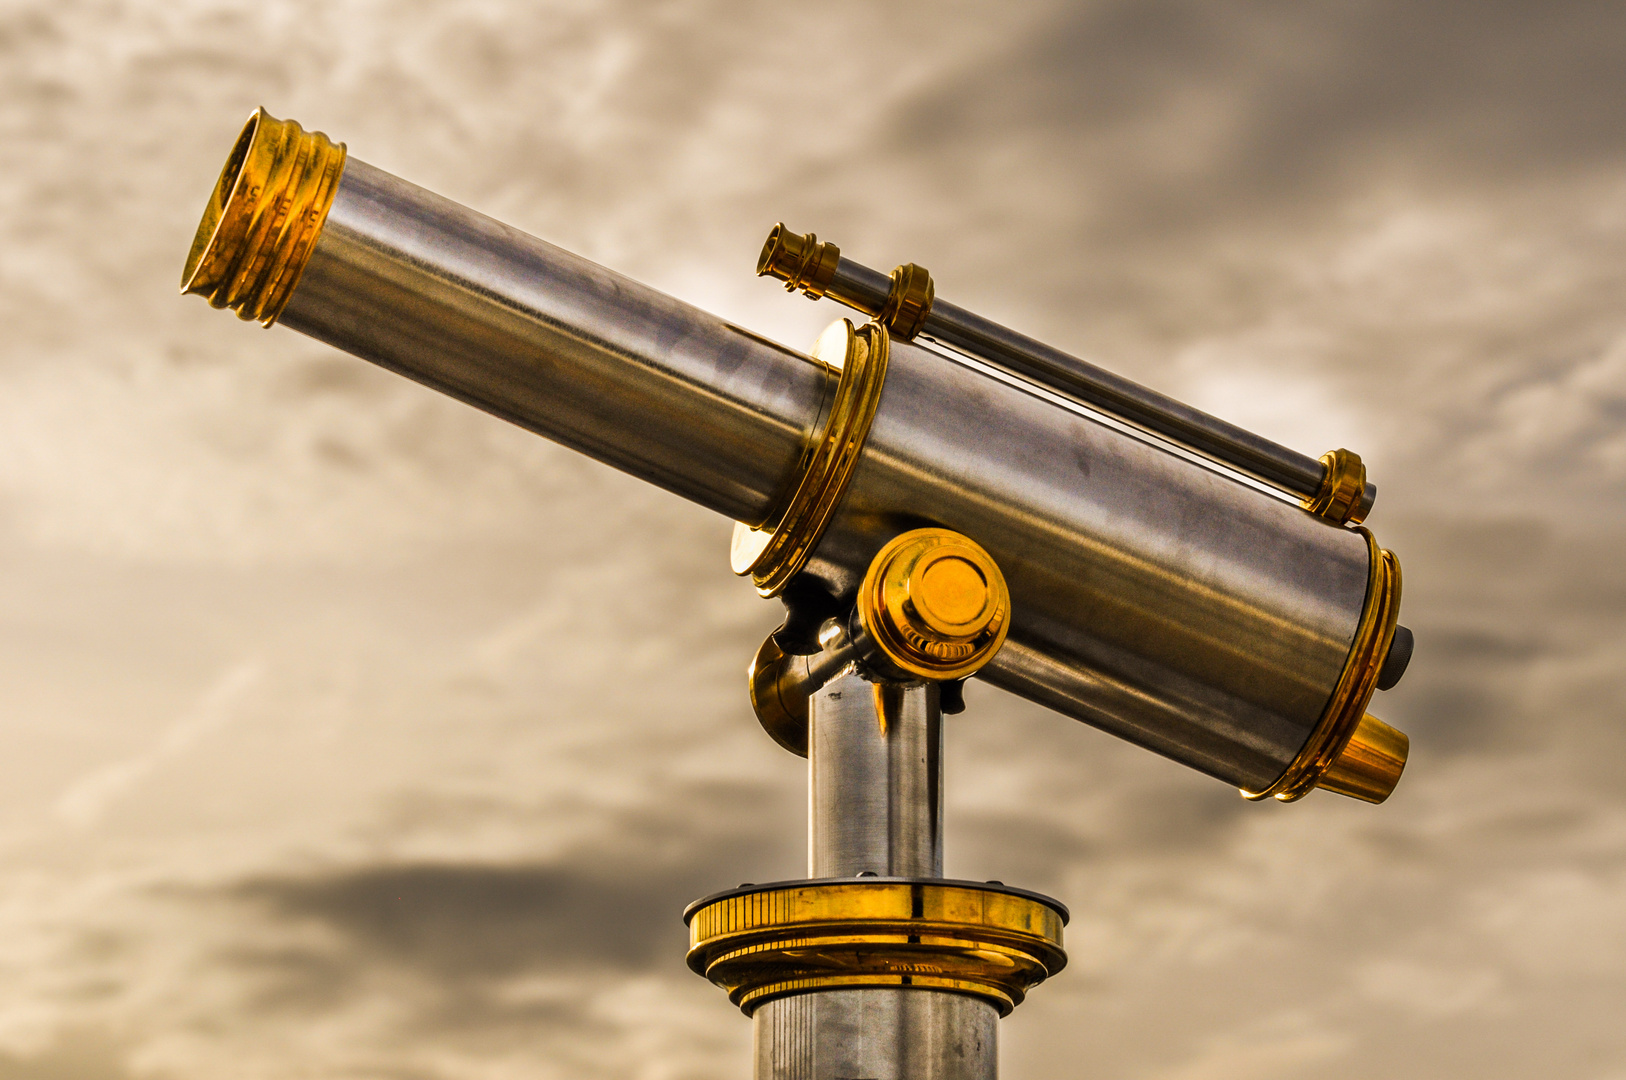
876	809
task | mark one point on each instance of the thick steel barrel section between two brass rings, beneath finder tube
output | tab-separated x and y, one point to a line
1150	596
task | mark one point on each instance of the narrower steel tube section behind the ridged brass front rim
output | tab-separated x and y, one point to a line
560	346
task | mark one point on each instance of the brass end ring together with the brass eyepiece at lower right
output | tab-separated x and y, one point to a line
1350	752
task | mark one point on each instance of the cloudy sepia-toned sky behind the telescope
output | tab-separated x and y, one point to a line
349	734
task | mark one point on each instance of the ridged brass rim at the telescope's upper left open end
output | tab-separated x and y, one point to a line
264	219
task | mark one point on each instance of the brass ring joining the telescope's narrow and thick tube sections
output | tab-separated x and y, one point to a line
775	554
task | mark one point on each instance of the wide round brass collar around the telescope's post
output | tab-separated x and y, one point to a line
760	944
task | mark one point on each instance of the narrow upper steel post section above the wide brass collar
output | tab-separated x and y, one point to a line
876	769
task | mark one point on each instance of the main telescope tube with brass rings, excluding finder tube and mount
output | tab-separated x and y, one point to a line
1149	594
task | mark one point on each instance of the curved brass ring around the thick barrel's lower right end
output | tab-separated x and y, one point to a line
1342	716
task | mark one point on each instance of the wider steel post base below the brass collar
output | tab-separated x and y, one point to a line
876	1035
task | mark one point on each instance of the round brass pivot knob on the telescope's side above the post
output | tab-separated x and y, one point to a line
936	604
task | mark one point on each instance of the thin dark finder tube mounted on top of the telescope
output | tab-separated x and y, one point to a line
820	271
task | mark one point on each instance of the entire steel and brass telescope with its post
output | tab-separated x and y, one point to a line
934	499
